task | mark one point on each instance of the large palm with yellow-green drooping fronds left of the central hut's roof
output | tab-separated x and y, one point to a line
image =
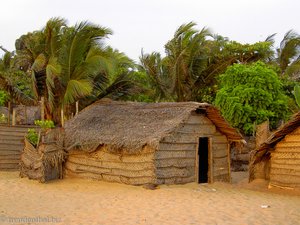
63	62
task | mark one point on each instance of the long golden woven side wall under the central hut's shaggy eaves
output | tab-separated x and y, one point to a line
102	165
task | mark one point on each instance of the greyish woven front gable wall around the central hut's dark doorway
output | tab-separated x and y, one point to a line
175	160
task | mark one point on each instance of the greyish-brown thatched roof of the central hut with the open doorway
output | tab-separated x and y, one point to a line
127	127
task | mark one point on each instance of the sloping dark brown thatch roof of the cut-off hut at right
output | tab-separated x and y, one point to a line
263	151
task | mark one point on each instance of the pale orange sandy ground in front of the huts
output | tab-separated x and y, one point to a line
75	201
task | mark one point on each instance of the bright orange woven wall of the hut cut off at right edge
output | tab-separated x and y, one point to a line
285	161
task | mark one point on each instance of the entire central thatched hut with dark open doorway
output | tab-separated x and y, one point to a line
157	143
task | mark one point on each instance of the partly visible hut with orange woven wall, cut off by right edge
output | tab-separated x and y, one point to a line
278	158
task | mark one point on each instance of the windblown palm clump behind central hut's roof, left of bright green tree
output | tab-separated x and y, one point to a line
193	61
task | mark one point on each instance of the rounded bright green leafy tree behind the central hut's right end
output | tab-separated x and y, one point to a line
251	94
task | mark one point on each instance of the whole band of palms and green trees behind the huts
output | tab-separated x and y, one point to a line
64	64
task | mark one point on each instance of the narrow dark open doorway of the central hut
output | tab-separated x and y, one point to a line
203	160
